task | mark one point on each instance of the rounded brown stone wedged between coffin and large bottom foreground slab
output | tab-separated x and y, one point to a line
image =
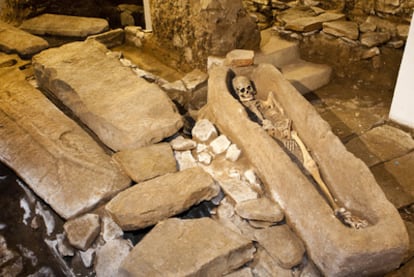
282	244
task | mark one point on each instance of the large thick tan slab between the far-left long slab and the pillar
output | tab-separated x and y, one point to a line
124	111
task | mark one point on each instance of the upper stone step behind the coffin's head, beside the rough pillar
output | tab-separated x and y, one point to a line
275	50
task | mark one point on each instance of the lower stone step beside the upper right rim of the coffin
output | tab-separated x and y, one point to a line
306	76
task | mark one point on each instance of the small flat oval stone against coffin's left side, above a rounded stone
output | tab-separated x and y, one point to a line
260	209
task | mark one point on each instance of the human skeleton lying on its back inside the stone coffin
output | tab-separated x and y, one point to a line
274	120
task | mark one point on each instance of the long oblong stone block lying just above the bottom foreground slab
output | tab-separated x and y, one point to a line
149	202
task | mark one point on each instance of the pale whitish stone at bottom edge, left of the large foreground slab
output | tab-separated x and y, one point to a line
110	256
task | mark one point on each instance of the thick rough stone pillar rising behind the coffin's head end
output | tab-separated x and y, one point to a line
210	28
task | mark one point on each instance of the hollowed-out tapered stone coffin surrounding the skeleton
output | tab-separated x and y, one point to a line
336	249
